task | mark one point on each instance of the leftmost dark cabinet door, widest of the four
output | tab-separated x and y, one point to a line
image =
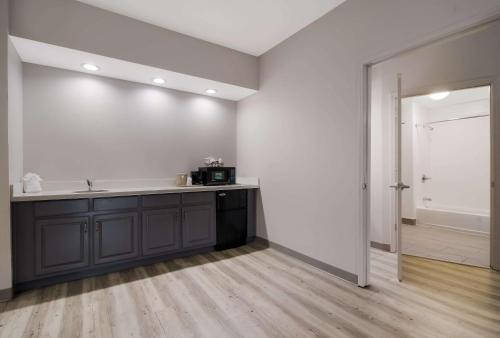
62	244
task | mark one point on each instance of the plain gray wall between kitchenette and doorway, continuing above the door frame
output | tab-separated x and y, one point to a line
301	133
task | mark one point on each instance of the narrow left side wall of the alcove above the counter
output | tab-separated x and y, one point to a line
15	88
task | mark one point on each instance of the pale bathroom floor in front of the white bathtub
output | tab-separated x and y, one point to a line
446	245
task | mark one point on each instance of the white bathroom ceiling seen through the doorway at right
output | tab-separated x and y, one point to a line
455	97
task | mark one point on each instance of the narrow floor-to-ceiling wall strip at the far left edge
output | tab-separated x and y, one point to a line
5	244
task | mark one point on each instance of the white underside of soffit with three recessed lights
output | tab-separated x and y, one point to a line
71	59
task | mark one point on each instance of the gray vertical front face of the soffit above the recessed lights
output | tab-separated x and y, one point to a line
75	25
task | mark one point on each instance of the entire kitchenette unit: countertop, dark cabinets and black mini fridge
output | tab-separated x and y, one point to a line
61	234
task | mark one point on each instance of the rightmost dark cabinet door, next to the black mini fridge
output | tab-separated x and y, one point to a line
198	226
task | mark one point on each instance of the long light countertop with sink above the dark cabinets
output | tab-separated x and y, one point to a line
19	196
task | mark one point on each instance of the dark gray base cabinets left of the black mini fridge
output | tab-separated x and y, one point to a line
61	240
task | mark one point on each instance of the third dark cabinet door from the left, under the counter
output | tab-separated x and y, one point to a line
161	231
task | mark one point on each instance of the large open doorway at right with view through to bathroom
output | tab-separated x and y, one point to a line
451	195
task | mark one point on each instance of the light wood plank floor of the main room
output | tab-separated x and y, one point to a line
257	292
